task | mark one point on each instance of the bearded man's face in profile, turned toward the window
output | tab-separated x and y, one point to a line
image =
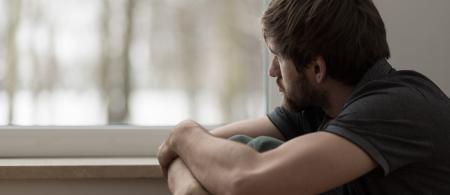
298	93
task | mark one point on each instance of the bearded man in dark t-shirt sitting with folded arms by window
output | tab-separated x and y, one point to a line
351	123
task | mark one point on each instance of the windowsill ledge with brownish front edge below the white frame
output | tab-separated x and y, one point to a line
79	168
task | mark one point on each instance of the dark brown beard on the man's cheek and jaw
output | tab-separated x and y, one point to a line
303	95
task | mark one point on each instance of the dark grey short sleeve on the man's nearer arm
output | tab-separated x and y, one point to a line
389	123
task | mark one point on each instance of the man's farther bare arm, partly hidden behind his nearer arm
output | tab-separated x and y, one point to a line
180	179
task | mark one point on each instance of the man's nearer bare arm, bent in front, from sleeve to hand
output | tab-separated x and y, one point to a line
309	164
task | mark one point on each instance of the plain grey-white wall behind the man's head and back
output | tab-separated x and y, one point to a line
419	36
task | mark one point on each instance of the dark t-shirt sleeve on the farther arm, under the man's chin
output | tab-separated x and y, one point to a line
293	124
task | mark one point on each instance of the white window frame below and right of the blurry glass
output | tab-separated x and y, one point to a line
107	141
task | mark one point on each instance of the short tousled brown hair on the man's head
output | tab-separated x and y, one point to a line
349	34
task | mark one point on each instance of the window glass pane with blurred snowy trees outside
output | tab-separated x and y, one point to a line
139	62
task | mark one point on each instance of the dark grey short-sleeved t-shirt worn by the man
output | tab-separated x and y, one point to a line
400	119
